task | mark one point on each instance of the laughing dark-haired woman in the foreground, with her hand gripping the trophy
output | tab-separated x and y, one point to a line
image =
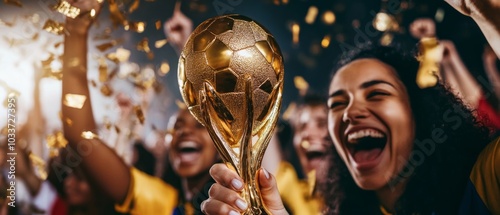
399	149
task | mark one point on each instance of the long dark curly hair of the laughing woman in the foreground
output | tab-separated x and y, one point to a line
438	178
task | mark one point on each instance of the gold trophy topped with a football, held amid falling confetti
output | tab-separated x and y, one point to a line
231	78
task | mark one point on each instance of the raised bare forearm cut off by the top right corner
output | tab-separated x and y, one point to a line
486	13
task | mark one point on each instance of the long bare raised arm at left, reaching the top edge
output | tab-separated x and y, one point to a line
100	162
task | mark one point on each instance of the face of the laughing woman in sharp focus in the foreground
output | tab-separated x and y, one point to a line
370	121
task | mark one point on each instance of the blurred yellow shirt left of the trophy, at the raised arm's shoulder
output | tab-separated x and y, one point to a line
148	195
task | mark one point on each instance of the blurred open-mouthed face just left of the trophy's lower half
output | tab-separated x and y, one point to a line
192	151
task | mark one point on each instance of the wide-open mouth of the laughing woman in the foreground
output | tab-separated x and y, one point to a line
365	147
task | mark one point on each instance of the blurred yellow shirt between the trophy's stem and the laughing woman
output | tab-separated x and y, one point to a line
296	194
